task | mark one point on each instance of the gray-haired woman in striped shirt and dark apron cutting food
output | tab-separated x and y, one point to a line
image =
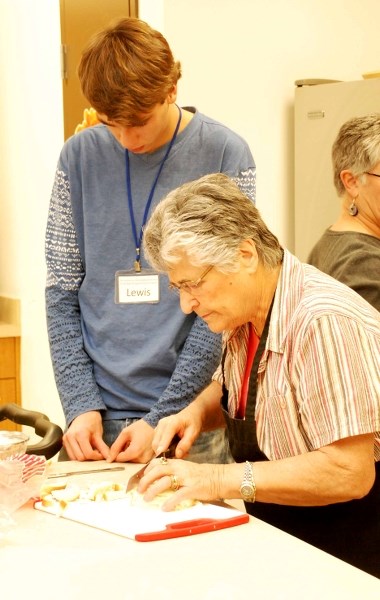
298	386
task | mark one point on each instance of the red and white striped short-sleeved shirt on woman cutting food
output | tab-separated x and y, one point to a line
319	376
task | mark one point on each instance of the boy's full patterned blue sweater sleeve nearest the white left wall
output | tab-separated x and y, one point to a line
72	366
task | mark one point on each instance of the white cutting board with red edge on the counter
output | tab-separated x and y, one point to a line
117	516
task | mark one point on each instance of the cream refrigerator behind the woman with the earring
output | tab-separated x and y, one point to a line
320	110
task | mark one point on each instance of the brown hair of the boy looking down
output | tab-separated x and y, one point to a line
126	70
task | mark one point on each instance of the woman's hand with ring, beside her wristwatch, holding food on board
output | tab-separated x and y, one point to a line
188	481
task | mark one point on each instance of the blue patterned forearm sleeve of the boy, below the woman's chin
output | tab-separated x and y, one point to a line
195	366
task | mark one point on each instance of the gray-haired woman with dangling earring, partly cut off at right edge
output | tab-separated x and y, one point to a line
350	249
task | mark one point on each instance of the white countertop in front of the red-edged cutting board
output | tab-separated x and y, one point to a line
46	557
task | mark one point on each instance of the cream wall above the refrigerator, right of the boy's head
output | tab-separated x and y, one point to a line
240	59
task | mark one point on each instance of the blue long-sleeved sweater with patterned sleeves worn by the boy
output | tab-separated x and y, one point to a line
128	360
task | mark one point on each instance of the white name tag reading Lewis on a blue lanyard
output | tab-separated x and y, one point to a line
136	288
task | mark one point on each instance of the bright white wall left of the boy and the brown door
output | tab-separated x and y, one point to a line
31	135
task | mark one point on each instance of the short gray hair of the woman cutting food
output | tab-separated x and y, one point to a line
207	219
